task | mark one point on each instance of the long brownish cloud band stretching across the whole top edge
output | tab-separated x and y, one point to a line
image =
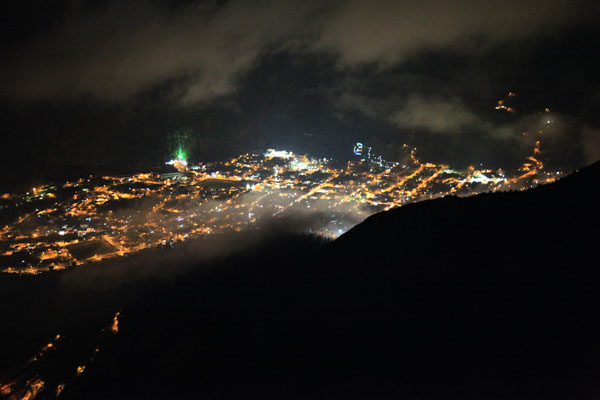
200	53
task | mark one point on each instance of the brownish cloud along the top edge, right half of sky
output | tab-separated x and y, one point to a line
388	31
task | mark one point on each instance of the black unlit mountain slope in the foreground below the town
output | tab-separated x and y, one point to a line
490	297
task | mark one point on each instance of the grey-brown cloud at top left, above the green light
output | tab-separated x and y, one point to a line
131	47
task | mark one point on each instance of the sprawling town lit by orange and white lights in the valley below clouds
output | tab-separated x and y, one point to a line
60	226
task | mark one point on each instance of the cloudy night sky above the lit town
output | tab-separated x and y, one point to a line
93	87
